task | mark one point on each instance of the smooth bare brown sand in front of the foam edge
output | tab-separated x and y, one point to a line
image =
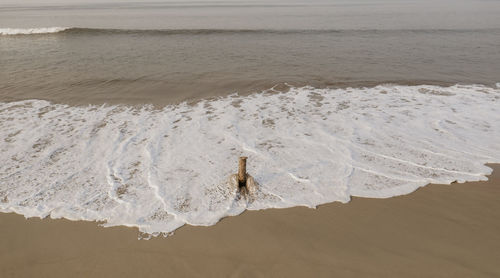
437	231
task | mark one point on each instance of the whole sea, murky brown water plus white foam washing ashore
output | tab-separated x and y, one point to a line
135	113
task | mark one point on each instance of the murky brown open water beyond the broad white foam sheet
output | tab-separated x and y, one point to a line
169	52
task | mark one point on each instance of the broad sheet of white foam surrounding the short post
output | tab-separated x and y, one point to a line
159	169
